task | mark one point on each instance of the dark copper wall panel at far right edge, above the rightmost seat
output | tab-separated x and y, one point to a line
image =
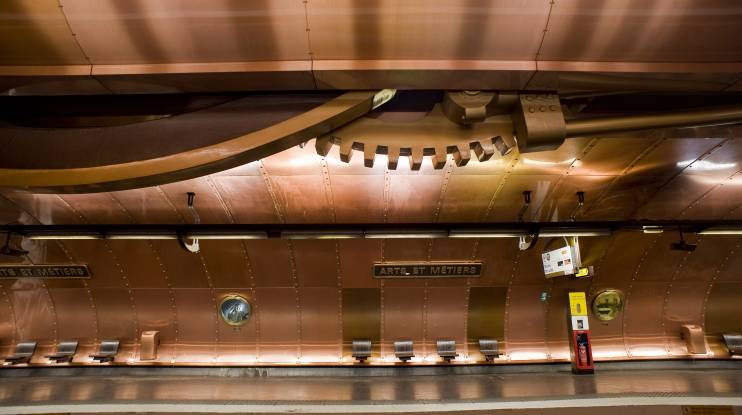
723	309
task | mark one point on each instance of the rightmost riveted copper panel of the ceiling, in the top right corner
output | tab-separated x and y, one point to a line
662	32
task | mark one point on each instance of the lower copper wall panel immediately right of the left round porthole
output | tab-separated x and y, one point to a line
279	324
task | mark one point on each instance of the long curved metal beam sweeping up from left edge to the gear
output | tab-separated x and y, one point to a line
197	162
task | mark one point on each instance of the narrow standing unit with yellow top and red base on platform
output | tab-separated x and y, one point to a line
581	351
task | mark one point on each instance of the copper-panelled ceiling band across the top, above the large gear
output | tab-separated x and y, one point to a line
121	46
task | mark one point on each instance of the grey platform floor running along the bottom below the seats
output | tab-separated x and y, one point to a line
617	388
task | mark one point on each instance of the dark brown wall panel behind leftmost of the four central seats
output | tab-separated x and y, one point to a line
361	317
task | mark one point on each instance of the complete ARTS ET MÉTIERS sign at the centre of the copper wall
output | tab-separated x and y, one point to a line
428	270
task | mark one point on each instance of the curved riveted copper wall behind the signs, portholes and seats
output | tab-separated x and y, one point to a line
311	297
